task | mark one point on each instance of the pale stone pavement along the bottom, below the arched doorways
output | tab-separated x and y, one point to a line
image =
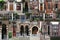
31	37
